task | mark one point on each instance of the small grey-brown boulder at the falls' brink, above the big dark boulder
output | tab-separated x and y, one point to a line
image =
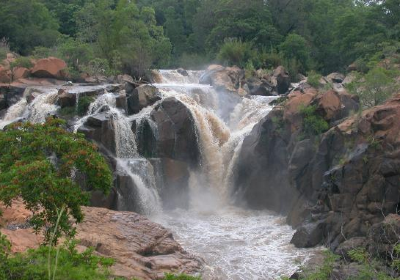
141	97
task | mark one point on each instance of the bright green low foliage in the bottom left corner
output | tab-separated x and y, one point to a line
71	265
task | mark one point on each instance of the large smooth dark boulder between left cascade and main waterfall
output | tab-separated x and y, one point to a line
176	132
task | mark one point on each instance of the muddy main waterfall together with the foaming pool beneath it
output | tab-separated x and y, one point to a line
236	244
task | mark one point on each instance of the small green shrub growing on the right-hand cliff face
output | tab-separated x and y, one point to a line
313	124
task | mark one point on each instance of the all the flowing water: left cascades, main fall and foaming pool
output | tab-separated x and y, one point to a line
237	244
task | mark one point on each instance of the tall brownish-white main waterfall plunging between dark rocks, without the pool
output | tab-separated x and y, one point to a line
220	132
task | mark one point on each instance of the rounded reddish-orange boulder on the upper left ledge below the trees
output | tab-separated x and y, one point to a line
50	68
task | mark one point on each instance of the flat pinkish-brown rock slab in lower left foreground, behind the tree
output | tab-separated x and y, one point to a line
141	248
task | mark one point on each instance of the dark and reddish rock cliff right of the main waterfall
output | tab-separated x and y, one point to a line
335	186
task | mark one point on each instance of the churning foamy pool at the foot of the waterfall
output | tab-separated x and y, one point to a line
237	244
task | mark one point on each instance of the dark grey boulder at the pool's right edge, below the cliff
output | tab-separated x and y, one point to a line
309	235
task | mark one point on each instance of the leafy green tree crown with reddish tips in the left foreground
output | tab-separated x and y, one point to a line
38	163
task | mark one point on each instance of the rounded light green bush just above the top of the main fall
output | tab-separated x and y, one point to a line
236	52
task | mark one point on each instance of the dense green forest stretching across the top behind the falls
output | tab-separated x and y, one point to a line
109	36
